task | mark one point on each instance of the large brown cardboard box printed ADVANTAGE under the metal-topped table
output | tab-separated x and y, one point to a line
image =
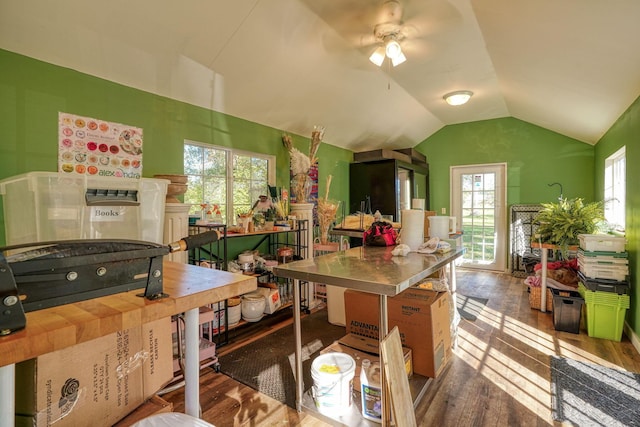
422	316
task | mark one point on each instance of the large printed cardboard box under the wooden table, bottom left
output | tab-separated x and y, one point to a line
100	380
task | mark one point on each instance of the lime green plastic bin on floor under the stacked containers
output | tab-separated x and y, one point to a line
605	313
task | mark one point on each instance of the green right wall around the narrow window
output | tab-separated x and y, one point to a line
625	132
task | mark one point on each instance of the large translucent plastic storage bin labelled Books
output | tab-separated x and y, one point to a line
50	206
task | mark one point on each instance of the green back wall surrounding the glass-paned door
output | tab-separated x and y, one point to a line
535	157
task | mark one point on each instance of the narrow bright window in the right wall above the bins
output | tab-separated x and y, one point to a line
615	189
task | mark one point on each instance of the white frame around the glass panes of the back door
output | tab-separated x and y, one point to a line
500	219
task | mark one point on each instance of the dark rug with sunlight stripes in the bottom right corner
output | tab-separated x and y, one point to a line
586	394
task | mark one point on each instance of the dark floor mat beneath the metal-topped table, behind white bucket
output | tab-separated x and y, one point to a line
266	364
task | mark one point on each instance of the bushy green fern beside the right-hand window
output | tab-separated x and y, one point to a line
561	223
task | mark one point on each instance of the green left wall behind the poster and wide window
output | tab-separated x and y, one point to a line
33	92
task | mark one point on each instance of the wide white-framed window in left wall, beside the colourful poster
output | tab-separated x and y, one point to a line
231	179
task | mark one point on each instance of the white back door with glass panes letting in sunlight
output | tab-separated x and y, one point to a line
478	201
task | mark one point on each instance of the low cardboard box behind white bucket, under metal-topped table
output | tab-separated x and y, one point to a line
361	348
